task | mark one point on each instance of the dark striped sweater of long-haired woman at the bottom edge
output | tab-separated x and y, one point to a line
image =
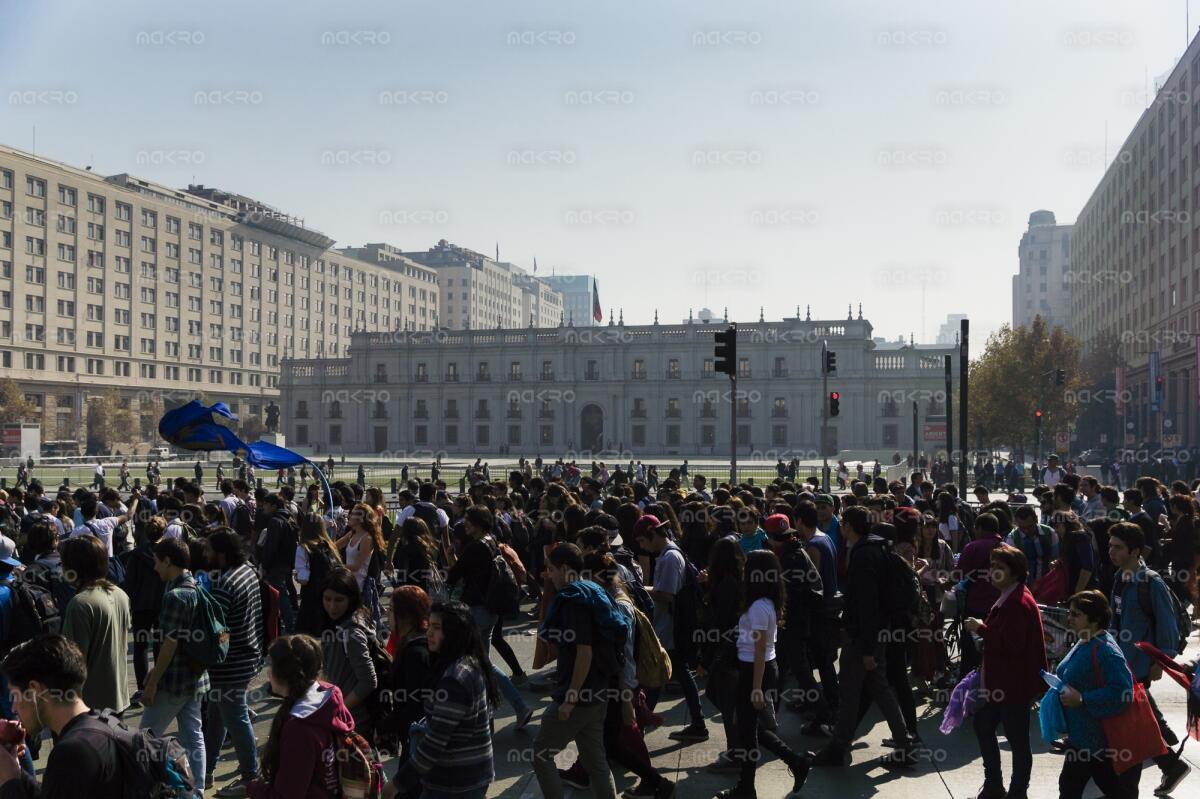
455	756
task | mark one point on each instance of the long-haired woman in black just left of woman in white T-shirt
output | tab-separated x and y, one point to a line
723	593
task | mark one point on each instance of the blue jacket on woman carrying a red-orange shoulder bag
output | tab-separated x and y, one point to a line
1106	695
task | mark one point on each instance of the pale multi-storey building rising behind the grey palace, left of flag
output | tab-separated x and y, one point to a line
477	292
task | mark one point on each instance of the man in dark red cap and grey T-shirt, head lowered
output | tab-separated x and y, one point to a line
670	622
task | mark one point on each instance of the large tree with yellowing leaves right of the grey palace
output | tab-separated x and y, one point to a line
1016	376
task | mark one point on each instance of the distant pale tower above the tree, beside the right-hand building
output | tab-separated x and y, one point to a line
1043	284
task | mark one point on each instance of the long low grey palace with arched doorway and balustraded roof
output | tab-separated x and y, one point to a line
641	389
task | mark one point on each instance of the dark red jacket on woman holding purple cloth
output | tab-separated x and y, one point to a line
1015	650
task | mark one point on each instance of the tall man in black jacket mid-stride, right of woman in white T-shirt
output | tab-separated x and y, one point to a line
862	666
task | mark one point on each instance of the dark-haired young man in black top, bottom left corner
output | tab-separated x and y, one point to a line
49	672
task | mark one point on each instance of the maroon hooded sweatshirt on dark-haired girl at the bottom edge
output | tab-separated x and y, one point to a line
308	748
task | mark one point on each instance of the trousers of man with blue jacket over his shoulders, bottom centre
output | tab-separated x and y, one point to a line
586	729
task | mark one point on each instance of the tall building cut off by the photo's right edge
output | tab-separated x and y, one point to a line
1137	272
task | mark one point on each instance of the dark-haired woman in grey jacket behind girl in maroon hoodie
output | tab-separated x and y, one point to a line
346	641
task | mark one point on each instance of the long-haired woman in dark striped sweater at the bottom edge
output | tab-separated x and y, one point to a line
452	754
